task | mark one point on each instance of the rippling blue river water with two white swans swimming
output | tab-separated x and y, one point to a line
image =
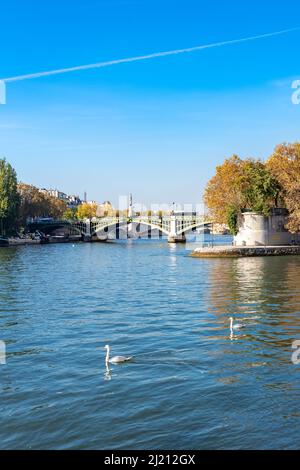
190	386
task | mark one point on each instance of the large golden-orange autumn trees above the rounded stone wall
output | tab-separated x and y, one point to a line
252	185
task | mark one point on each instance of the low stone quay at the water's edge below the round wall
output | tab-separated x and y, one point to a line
245	251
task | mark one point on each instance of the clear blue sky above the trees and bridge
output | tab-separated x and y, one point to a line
156	128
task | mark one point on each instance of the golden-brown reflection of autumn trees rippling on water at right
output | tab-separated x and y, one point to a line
265	289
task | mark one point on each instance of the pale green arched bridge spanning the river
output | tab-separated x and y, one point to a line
175	227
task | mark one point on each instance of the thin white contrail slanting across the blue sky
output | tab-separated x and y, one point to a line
144	57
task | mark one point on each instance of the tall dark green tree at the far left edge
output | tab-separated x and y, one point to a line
9	198
